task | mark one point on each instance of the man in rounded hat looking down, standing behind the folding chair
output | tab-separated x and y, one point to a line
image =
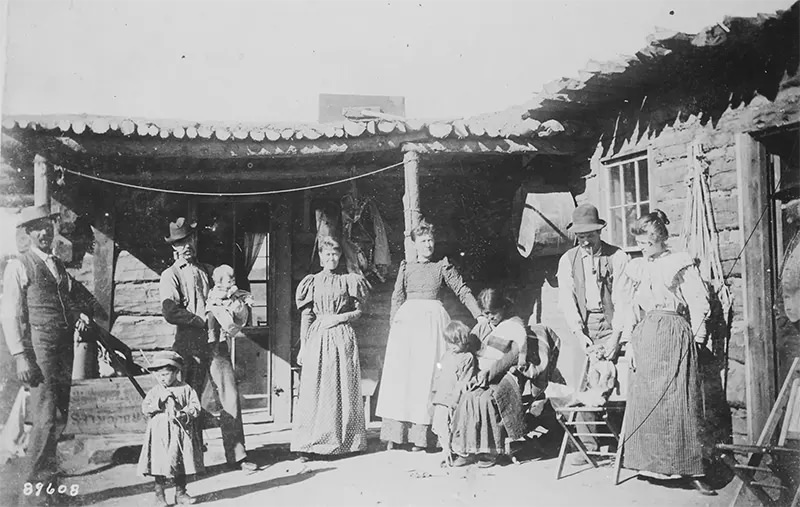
588	289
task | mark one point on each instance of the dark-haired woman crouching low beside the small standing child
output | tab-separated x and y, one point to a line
491	410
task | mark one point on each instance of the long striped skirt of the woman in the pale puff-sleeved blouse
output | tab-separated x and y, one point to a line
663	416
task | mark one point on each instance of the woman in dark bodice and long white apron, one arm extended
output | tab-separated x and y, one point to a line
416	343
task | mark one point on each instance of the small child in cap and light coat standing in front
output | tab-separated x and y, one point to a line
171	448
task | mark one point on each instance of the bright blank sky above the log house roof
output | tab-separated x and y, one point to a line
269	60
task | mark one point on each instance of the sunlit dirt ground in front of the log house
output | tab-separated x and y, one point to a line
104	473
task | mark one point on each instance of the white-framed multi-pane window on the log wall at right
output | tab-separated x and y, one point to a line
628	197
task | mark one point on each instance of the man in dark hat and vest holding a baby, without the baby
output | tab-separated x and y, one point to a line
184	289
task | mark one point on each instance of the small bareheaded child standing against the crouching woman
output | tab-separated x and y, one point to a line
455	371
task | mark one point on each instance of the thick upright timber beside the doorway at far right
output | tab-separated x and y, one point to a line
751	166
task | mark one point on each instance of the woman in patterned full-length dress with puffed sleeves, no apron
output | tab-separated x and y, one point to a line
330	413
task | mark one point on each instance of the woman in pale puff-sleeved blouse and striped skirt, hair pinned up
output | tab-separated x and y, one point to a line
664	411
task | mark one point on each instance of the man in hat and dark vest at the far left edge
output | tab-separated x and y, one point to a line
40	313
